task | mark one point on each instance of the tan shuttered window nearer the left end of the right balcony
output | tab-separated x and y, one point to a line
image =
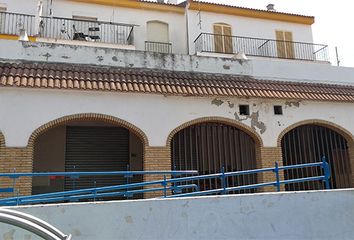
222	38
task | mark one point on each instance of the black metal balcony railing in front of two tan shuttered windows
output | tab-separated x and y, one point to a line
214	43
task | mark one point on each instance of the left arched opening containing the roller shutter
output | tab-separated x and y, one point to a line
85	145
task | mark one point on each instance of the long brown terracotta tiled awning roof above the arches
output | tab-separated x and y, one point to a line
84	77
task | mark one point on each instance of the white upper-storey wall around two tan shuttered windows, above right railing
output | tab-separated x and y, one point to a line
244	27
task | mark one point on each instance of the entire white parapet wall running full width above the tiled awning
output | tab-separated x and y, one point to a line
274	69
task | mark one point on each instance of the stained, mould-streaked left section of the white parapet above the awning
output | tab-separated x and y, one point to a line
52	52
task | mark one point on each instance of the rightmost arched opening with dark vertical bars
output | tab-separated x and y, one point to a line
309	143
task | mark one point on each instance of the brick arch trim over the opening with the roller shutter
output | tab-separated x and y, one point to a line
87	117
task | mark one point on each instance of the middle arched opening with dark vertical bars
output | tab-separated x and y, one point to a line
210	146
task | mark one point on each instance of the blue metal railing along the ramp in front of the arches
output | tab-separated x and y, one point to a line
176	184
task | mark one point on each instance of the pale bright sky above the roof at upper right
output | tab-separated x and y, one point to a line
334	21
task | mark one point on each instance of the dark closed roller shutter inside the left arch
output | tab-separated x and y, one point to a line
91	149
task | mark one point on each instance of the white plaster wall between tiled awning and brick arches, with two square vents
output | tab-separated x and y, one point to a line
156	115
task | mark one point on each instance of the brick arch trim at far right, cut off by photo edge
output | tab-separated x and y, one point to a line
342	131
